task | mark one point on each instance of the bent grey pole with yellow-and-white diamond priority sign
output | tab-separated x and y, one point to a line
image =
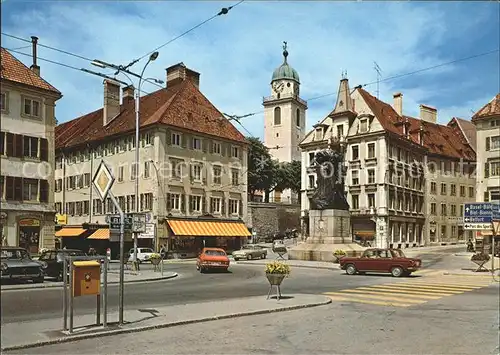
103	181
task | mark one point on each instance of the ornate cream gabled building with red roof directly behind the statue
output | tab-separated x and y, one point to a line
393	164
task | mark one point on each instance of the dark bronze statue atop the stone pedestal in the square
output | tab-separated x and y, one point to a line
329	192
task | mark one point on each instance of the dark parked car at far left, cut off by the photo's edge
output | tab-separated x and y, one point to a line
16	264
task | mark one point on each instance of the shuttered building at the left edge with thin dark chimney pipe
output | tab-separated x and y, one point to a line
27	155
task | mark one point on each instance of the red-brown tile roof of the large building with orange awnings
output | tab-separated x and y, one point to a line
182	105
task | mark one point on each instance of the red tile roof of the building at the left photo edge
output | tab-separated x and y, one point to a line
14	70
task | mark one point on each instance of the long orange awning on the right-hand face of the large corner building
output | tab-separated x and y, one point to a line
208	228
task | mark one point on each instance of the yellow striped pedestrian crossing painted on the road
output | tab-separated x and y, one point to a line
408	292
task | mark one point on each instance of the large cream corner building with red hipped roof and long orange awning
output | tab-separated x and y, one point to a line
192	166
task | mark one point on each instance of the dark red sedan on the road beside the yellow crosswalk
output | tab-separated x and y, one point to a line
377	260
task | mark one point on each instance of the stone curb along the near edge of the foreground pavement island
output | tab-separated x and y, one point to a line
73	338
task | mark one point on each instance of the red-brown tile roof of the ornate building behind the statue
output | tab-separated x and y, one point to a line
438	139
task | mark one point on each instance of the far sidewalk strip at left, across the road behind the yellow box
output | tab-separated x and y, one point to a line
113	278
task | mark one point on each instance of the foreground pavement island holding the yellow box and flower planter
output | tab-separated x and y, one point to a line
44	332
